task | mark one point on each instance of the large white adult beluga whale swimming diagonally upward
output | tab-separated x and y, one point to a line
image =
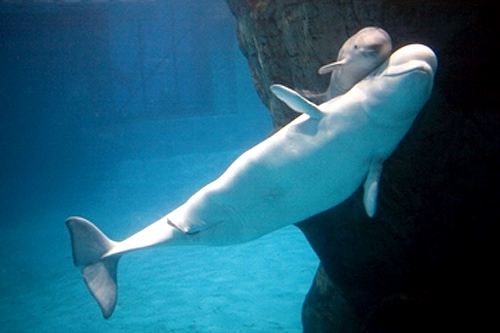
312	164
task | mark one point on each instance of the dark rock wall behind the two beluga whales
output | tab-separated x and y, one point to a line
426	259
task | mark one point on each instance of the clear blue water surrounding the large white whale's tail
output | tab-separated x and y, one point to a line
119	113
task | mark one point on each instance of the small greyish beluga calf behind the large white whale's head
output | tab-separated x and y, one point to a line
360	55
